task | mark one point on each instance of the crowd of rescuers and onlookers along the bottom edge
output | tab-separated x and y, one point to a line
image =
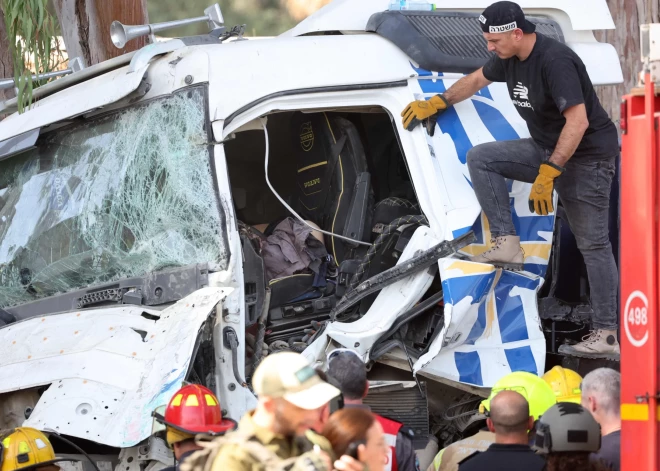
311	420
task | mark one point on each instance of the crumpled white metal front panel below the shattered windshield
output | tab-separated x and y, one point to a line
108	368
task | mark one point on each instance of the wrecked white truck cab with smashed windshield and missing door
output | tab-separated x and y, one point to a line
128	190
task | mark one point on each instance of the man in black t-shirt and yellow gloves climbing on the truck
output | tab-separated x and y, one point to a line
572	149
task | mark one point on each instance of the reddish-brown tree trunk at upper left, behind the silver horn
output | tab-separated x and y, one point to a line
85	26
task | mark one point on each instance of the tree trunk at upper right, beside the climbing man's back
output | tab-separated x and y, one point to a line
628	15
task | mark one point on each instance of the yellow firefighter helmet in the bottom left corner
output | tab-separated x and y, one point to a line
26	448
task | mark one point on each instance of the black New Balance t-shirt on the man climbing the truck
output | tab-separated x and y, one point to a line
552	79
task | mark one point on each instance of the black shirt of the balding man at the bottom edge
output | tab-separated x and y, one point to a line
500	457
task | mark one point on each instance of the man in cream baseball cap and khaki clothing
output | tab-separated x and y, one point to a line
291	396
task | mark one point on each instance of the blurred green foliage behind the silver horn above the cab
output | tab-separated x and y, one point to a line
261	17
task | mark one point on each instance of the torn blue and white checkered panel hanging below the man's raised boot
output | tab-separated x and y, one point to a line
494	328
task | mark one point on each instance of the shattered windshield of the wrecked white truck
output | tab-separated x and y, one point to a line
117	197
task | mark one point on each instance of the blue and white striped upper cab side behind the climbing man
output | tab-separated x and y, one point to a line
488	116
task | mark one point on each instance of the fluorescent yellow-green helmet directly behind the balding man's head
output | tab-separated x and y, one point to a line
537	392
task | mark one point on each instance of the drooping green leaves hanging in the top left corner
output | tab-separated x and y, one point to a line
31	30
